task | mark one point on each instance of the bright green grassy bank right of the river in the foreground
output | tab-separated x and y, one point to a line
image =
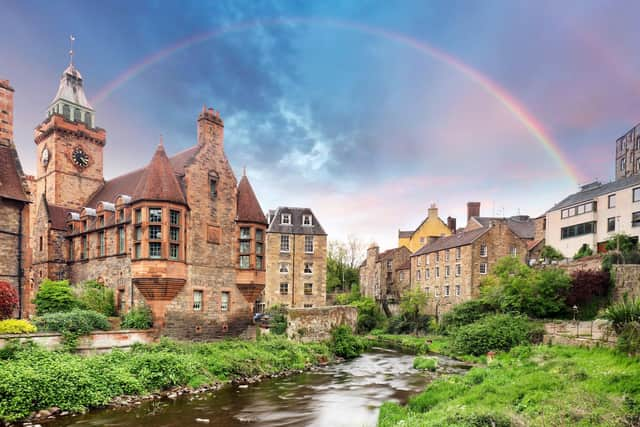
531	386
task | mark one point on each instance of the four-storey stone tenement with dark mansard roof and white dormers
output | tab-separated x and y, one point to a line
296	259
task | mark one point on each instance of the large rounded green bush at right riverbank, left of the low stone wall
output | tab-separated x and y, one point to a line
499	332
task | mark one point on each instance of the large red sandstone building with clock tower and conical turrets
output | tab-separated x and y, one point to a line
179	235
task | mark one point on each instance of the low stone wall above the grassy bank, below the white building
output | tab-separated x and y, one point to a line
590	333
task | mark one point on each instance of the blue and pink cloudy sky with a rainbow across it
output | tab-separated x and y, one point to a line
365	111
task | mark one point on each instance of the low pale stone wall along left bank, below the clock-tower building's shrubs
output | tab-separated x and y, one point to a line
97	342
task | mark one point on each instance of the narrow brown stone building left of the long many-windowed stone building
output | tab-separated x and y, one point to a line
383	275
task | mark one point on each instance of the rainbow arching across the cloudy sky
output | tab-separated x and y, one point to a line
515	108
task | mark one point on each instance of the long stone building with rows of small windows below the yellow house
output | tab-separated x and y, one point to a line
450	269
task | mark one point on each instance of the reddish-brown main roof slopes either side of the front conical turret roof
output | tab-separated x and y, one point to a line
127	183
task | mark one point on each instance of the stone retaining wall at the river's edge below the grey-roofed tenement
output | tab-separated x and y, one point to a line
315	324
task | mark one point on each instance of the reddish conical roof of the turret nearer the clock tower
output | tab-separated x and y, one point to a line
158	181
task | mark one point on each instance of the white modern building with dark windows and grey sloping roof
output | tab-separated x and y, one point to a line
593	215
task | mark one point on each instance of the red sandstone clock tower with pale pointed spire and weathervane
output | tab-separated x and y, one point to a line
69	146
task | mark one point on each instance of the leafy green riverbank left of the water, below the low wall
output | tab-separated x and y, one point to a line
33	379
